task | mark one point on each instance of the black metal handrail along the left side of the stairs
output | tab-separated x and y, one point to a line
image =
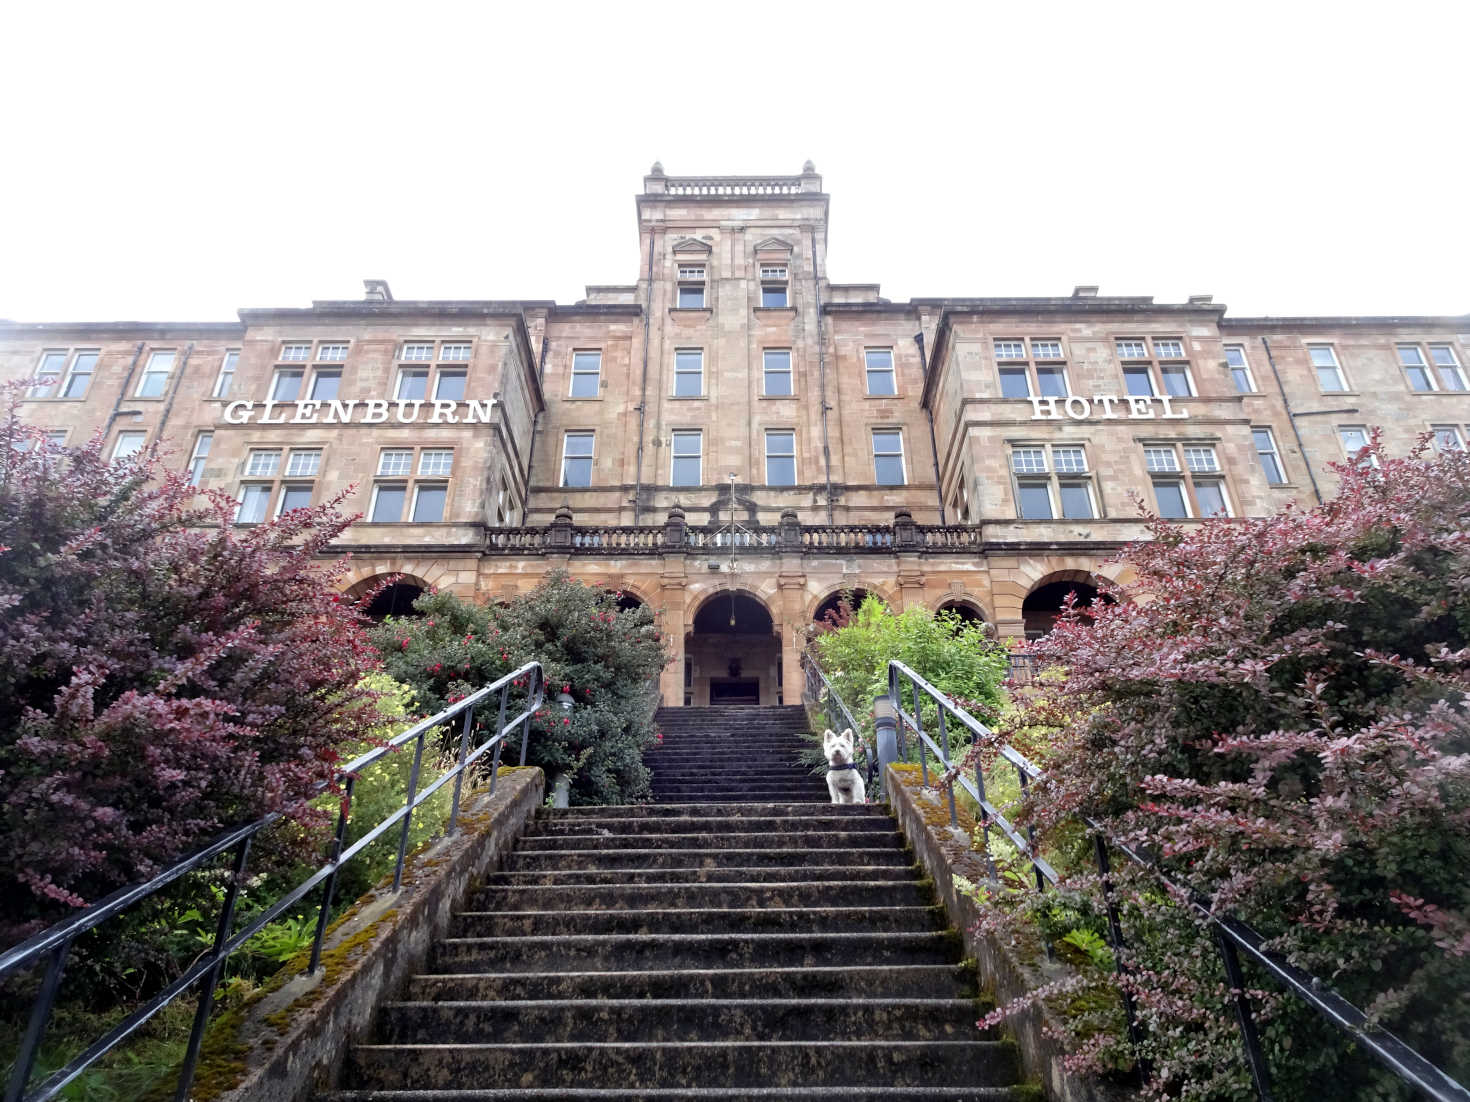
57	941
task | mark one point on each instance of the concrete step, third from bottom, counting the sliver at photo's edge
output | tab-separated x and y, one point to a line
674	1020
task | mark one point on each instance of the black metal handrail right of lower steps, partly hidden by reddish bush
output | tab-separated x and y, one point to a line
1231	935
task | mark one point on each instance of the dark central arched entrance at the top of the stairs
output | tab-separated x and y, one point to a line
733	653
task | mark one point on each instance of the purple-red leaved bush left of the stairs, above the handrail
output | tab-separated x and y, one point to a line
164	675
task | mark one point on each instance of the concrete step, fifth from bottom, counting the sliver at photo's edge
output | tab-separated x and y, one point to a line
633	951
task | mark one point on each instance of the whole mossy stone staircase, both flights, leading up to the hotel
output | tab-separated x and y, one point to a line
736	941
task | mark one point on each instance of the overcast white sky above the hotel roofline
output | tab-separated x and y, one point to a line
180	162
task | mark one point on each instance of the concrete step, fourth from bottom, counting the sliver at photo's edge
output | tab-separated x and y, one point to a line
833	982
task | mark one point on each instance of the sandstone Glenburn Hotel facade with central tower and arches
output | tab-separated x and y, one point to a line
736	440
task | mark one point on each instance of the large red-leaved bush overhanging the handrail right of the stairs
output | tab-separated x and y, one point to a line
1277	712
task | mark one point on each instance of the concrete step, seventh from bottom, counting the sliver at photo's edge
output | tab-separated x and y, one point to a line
624	897
